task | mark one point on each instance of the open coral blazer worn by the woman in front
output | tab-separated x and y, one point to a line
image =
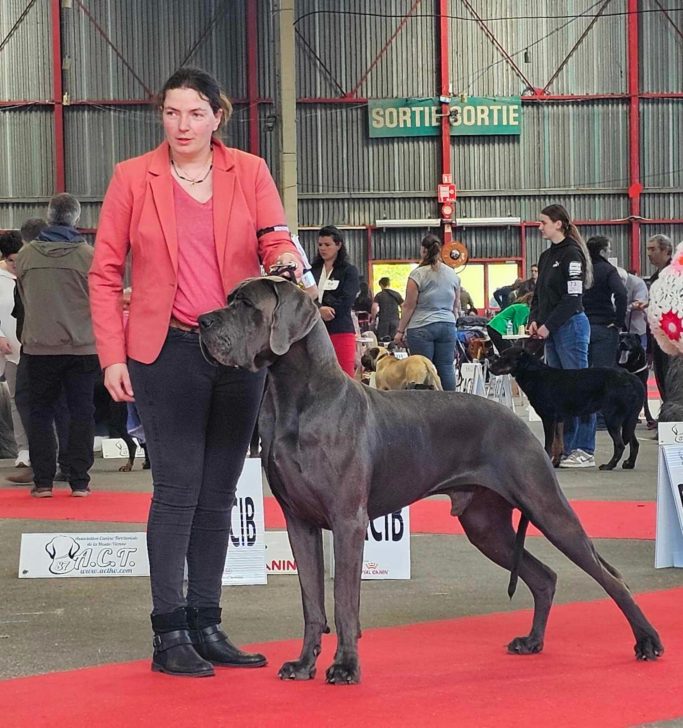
138	215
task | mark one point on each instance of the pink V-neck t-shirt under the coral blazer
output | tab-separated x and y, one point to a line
200	288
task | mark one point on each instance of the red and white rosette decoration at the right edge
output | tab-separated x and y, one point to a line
665	310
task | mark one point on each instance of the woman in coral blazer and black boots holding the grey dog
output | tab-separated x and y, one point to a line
197	218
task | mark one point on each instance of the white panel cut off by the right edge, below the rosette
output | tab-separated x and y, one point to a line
669	538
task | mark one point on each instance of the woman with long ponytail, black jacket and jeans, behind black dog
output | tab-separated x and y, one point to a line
557	316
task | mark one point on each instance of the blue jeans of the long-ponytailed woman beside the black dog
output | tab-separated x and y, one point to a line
567	348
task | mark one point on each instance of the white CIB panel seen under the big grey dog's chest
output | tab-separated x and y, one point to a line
386	554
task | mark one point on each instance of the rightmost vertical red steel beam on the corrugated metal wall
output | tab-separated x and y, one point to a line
635	186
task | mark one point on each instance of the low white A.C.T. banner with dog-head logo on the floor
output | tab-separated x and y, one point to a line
46	555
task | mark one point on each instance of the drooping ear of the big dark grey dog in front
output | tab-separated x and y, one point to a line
294	315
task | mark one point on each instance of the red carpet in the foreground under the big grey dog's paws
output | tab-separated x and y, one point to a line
450	673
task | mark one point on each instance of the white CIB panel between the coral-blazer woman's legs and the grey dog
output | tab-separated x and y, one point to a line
246	561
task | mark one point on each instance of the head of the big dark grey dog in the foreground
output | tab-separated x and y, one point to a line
264	317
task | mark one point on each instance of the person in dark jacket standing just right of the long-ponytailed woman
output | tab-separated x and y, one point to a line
605	305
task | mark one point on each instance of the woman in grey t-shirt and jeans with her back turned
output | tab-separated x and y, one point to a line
429	312
